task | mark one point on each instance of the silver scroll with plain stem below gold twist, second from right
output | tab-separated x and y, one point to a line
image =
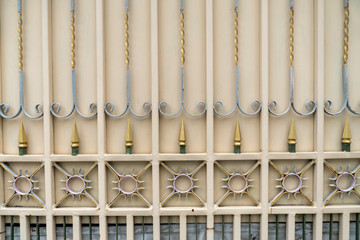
273	104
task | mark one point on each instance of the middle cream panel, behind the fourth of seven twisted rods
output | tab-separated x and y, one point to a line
169	73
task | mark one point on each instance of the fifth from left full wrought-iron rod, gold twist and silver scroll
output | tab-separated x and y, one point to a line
255	104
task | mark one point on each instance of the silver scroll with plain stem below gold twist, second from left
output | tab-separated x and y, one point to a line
55	107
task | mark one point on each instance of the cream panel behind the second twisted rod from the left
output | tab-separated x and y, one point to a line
85	73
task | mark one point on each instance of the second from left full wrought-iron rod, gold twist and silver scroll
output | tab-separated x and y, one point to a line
55	107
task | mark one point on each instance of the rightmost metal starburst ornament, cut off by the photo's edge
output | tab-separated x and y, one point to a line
344	182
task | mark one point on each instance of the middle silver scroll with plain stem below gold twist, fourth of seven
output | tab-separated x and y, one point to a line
182	106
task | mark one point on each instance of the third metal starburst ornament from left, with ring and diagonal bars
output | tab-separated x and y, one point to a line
128	185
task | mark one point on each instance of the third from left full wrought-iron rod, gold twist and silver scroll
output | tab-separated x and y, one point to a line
109	106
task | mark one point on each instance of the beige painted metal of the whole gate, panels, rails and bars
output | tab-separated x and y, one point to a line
154	37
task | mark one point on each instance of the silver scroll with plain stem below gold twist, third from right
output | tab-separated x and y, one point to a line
255	104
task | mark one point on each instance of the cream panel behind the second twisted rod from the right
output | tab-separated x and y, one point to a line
279	73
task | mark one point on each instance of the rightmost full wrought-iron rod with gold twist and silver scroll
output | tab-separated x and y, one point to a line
329	103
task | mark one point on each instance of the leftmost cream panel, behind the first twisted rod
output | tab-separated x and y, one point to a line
32	73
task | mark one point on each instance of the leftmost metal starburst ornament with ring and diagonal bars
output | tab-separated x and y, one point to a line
23	185
